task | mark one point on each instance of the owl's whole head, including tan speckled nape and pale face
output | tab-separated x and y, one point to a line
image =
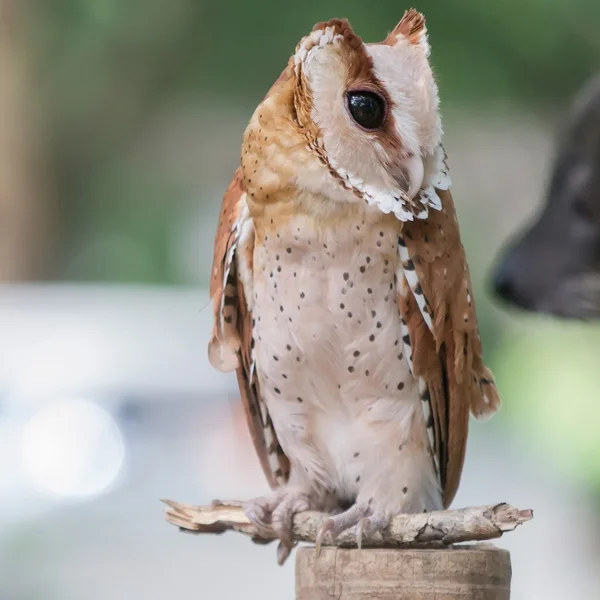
352	122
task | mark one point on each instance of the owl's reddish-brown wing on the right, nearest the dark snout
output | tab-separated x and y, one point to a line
441	337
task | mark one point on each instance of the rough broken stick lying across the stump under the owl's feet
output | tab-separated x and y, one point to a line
441	527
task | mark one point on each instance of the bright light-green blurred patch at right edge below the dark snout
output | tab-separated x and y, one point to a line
549	379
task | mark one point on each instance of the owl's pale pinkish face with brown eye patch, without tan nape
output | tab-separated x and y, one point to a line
370	113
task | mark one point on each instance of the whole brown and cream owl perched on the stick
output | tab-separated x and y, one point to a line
341	293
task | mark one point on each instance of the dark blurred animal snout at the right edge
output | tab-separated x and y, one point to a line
553	266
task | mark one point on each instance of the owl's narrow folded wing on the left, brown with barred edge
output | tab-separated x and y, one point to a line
231	345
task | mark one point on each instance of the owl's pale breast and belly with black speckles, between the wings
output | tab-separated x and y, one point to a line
328	346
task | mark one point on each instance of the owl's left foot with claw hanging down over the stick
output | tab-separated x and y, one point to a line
276	512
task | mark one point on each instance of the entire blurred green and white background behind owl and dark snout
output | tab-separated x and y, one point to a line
120	127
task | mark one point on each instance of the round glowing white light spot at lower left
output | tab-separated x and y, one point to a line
72	448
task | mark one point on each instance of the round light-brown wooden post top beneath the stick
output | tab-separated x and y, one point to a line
477	572
